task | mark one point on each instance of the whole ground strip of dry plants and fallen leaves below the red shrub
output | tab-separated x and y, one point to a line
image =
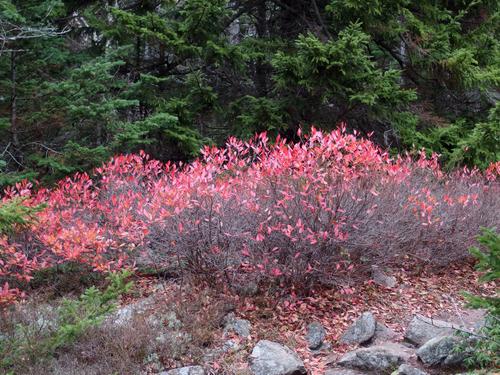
178	323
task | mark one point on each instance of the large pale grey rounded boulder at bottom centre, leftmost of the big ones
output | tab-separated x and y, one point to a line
271	358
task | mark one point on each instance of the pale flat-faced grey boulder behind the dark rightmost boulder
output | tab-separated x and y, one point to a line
421	329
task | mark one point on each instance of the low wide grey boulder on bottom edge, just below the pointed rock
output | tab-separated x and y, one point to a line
379	358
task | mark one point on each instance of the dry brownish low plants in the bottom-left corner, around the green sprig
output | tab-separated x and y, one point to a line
176	328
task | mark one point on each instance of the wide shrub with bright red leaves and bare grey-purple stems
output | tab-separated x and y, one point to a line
254	210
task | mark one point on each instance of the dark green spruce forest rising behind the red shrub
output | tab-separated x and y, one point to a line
83	80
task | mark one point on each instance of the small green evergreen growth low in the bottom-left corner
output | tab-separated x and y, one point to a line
37	338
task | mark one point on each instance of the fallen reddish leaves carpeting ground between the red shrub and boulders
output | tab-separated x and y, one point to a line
284	319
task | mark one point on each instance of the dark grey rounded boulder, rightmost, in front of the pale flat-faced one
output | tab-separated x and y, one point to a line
441	351
